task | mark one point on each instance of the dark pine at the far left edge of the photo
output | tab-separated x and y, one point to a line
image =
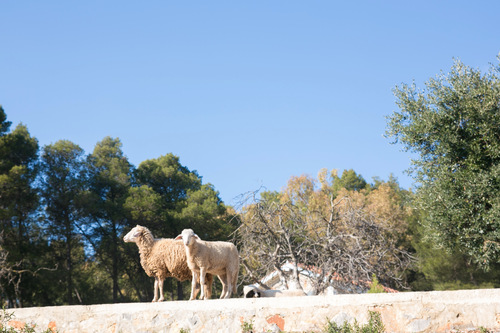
18	204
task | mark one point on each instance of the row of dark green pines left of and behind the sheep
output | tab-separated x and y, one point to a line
63	215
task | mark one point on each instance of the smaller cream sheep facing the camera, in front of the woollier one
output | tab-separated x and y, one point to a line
218	258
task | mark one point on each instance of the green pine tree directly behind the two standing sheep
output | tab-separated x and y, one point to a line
168	197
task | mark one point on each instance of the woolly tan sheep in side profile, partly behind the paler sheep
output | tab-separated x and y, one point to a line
162	258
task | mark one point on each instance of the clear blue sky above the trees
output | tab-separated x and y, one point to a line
248	93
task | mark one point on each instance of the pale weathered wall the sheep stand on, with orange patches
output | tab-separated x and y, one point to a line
403	312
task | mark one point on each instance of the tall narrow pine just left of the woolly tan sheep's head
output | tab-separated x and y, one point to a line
109	181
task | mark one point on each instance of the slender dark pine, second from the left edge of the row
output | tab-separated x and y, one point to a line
63	181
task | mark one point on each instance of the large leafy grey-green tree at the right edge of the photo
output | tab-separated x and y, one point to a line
453	127
